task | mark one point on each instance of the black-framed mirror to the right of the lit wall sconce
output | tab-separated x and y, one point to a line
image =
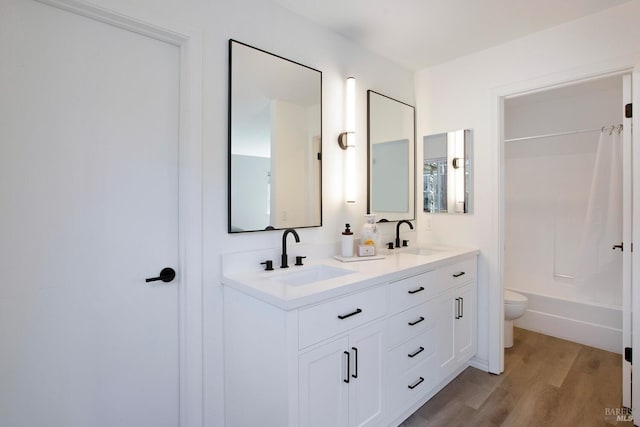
391	152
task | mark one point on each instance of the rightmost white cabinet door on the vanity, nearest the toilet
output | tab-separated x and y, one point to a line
465	334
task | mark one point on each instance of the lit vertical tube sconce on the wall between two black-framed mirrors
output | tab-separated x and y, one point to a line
347	141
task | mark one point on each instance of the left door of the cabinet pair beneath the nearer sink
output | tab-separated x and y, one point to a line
324	394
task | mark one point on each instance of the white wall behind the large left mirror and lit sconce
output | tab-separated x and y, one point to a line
269	27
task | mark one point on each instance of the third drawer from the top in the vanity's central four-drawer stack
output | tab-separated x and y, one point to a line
410	354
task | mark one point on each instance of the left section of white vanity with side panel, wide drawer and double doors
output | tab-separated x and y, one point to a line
318	365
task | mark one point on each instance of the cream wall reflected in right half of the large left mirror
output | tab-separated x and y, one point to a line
290	147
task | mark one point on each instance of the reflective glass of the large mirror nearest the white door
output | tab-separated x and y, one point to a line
275	138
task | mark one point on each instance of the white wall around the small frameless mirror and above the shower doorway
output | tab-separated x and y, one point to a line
465	93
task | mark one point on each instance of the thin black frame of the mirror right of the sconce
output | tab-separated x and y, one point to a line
411	215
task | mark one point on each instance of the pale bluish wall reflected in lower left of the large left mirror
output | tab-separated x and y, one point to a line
250	210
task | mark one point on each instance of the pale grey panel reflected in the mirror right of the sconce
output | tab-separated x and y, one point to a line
389	191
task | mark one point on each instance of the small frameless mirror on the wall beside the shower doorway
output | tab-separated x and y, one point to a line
447	172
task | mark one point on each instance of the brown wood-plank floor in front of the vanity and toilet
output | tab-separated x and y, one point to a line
547	382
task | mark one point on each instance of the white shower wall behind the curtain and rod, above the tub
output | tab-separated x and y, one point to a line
547	189
